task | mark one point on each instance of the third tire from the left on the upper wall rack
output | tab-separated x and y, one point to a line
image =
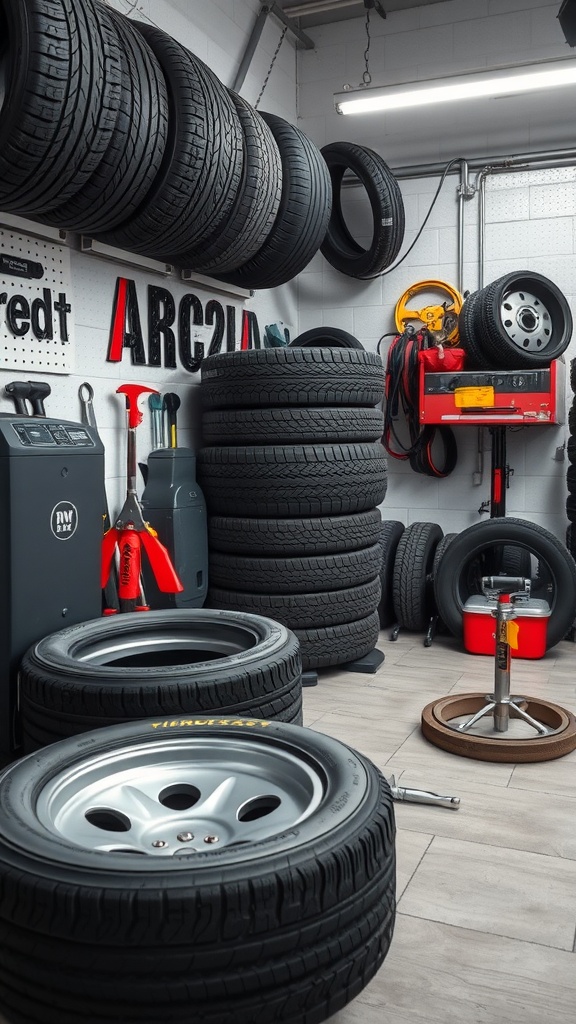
199	179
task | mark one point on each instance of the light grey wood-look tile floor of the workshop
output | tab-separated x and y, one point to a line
486	919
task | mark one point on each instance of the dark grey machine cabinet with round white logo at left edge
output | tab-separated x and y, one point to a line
52	501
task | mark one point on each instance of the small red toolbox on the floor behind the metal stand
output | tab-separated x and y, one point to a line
480	627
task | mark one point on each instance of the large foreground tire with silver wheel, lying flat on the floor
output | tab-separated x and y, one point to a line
208	936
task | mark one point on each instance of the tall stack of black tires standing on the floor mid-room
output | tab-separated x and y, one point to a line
294	474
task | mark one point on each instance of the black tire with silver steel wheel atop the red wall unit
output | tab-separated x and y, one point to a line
525	336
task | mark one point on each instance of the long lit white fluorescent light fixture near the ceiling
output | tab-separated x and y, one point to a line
504	82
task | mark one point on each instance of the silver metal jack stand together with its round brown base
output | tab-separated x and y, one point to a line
554	729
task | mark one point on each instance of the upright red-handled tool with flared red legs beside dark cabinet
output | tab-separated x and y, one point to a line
131	533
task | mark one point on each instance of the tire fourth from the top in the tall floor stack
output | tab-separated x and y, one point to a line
317	536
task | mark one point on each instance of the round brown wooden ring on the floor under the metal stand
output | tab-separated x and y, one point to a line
438	715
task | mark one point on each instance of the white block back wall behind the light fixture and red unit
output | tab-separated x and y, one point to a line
529	215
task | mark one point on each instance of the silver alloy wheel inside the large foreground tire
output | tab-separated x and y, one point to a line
177	798
